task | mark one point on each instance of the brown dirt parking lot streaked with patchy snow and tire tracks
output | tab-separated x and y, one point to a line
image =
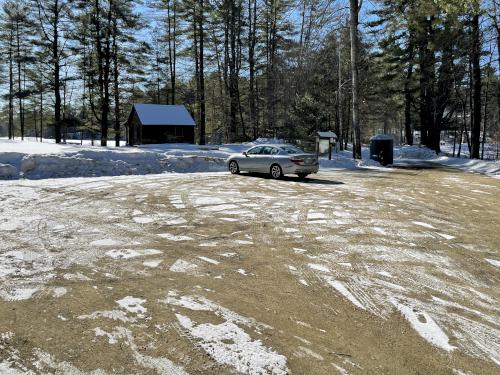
359	272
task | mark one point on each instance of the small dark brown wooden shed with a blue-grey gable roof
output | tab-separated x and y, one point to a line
158	123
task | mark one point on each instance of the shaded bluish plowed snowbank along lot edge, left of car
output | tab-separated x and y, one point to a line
87	163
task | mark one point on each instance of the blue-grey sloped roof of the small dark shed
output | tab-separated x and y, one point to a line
161	114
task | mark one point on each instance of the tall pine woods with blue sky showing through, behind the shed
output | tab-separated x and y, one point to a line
420	70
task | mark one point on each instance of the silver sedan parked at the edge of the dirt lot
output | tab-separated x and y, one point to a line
276	160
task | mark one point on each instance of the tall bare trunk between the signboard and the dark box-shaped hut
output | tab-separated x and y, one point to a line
354	9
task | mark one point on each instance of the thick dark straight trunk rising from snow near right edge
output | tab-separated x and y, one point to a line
476	73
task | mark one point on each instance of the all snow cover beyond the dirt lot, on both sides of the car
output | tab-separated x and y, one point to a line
35	160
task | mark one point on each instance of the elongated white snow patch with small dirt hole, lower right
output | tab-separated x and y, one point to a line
425	326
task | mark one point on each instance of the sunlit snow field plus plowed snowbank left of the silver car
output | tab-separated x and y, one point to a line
45	160
